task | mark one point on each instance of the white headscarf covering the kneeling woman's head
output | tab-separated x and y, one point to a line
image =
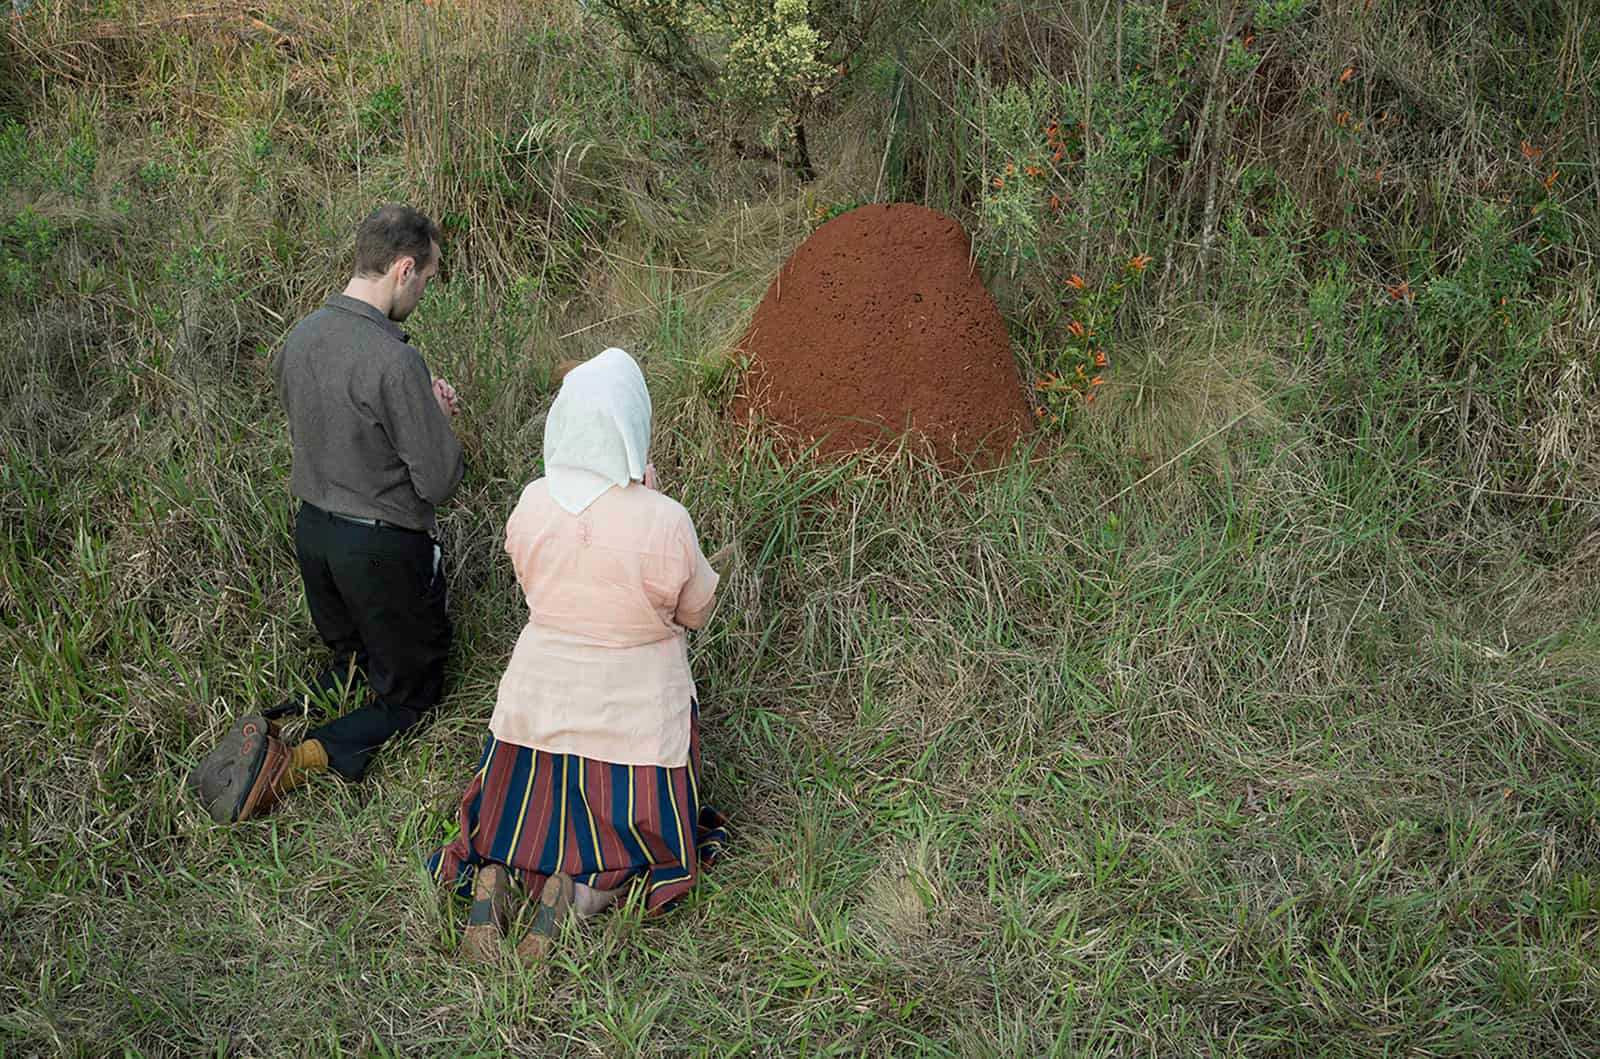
598	433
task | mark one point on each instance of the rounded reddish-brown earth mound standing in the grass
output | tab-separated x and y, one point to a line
879	324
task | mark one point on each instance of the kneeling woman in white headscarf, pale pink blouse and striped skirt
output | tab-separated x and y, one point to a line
590	780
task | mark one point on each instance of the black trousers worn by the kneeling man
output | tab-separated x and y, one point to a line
378	601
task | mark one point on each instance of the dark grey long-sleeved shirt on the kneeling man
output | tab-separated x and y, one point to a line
367	431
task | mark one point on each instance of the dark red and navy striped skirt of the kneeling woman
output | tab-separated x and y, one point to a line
604	825
